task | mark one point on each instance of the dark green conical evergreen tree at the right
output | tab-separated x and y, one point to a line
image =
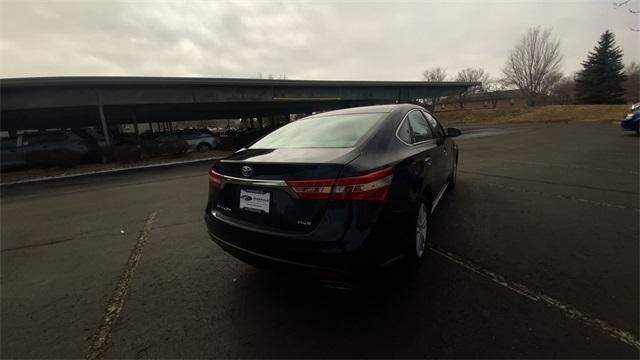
602	77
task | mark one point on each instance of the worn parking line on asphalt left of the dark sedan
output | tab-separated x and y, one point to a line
102	338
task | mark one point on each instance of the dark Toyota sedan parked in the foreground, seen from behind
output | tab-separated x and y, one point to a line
344	191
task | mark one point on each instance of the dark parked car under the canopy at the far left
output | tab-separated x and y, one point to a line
47	148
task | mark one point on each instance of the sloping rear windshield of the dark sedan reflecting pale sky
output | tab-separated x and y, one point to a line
333	131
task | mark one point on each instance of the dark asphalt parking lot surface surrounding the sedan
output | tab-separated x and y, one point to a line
535	254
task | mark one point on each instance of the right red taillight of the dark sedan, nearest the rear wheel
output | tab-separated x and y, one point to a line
372	186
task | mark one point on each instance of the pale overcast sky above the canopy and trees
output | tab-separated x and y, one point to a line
351	40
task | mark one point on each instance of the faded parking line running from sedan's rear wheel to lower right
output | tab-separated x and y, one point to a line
565	309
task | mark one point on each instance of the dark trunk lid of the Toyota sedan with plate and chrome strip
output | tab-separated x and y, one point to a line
254	187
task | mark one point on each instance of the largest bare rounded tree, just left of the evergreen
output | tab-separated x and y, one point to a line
534	64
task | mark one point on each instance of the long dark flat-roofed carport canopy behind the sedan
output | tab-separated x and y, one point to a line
70	102
